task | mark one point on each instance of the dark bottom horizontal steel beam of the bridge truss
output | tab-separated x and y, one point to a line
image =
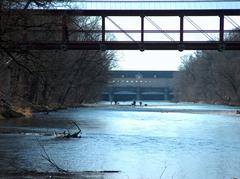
126	45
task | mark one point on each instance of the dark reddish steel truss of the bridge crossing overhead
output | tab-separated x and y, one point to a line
102	43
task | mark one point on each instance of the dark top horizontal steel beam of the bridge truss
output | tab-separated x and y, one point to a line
196	12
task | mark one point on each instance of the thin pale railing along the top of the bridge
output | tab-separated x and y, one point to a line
154	4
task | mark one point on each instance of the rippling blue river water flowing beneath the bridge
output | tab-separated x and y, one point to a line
160	140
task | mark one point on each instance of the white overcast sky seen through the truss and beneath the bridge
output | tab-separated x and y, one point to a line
160	59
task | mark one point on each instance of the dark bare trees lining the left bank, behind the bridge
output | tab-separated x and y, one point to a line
49	77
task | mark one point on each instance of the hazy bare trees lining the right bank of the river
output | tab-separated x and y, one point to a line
210	76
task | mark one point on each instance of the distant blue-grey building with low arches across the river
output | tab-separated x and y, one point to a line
140	85
